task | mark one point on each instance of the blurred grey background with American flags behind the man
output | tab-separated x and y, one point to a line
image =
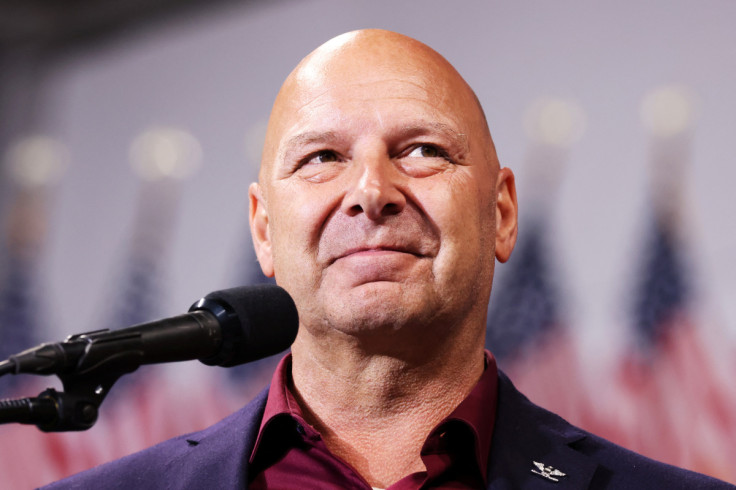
130	130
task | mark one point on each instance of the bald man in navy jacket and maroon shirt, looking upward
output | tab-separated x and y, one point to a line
381	208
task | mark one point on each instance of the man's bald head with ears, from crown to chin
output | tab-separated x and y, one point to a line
381	203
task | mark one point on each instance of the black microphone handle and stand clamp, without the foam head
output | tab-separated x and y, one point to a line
100	362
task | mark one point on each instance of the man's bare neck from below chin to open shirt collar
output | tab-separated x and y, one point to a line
375	410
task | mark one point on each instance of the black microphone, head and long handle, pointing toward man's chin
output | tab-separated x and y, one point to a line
225	328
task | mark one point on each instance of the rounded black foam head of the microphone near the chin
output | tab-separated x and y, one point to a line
257	322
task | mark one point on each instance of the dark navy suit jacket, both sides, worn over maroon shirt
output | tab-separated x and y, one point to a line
216	458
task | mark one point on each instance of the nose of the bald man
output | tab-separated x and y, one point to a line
375	192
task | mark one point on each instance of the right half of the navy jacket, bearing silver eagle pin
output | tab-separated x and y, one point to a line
526	434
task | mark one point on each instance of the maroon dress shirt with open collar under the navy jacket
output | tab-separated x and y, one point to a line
289	453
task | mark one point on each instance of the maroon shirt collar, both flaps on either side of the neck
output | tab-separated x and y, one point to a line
477	411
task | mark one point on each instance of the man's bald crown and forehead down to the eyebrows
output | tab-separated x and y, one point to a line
354	84
